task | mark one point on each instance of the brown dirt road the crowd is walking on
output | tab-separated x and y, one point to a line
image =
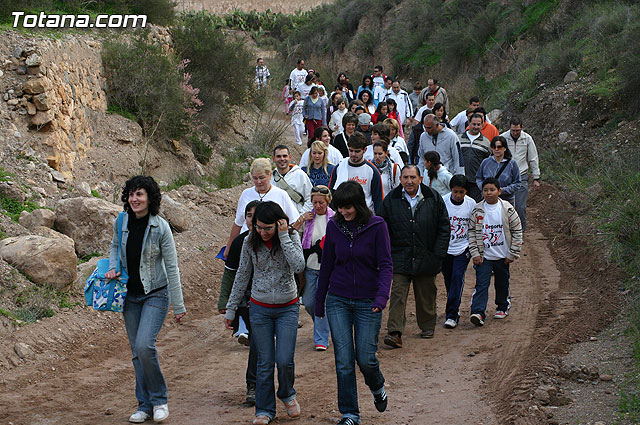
83	372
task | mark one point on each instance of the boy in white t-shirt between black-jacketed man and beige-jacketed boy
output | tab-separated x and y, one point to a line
454	266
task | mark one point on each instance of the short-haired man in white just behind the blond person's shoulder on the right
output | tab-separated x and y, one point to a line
291	179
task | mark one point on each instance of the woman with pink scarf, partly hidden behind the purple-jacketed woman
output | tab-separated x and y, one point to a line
315	228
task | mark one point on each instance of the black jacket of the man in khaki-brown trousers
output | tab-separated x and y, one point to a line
418	242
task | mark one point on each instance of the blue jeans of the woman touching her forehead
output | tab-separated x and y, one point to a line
267	322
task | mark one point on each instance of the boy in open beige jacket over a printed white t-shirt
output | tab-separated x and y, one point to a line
495	240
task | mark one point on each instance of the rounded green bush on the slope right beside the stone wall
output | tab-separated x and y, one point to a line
143	80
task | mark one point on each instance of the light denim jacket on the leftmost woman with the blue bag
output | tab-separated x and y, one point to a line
159	259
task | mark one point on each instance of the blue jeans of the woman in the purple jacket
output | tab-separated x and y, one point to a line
349	318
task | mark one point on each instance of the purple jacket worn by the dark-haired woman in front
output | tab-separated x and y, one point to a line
356	269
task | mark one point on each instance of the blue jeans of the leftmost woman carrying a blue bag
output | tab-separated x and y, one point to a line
143	318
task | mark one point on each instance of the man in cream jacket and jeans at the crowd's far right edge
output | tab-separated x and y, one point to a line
524	151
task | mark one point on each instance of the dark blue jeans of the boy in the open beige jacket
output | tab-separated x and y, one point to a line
483	281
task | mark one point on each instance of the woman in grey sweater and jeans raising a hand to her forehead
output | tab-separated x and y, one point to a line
270	257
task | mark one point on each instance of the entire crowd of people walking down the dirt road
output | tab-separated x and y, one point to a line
365	215
